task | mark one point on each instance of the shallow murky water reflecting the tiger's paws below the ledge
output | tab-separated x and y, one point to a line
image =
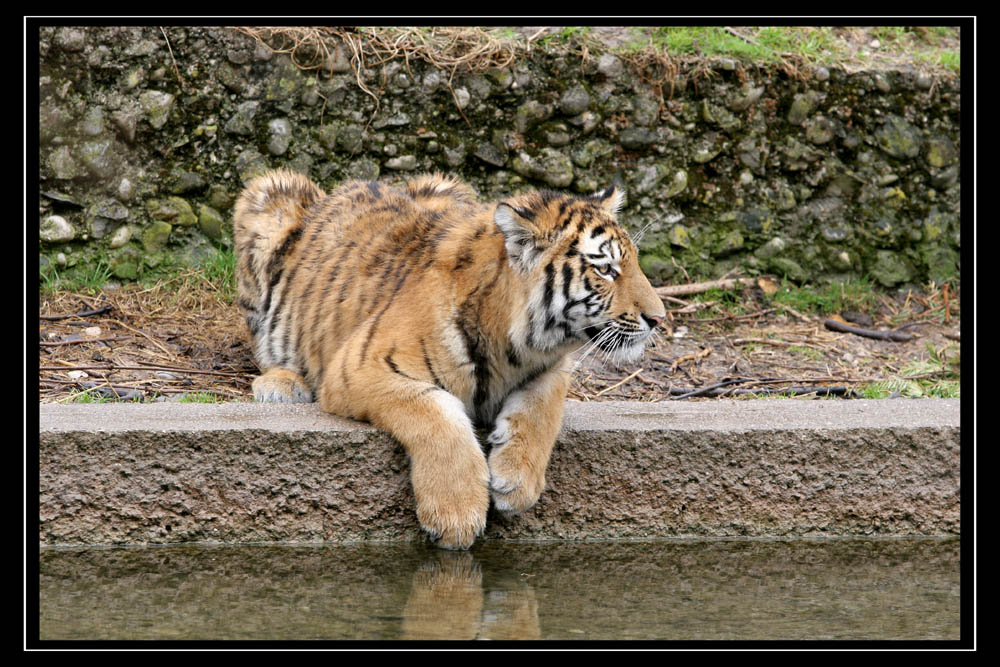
827	589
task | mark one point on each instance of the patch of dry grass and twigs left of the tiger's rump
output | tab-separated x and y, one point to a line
189	339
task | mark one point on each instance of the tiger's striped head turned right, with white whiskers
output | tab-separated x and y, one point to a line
583	273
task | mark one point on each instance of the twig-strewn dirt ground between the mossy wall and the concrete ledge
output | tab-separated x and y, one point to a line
163	343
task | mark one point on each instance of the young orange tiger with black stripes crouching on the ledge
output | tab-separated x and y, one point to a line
440	319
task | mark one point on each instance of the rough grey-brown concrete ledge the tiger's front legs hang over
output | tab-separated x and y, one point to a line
246	472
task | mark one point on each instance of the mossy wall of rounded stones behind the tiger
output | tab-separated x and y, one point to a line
143	149
